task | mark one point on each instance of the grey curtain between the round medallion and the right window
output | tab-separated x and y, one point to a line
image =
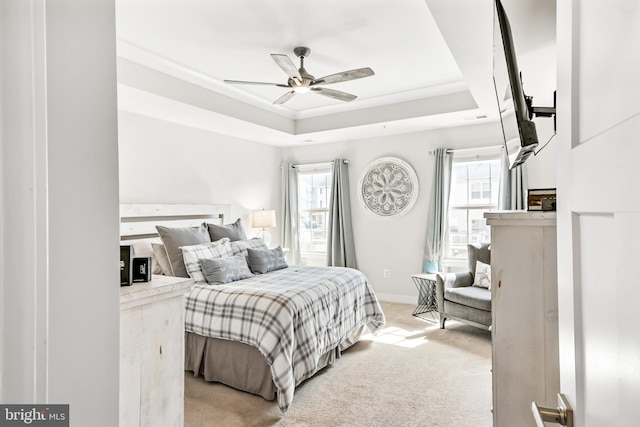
438	209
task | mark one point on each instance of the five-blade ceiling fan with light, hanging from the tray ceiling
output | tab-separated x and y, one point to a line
300	81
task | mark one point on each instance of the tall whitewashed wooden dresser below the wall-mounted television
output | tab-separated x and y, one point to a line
524	292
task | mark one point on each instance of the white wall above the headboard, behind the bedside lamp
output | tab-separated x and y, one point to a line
164	162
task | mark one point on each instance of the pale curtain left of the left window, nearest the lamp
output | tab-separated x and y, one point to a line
289	233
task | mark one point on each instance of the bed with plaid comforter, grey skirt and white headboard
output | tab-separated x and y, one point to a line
266	332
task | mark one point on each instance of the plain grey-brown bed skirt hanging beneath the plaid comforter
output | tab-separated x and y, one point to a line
242	366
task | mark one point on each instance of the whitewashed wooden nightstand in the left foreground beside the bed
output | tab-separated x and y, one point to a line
152	352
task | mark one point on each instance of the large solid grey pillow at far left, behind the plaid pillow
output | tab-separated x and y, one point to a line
175	237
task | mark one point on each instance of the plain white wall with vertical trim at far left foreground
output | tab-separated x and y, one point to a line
59	335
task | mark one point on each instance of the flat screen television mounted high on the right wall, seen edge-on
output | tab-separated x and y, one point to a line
519	132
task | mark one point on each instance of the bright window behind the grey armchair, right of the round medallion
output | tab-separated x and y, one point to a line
474	190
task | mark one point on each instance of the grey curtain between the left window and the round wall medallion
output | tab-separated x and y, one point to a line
341	250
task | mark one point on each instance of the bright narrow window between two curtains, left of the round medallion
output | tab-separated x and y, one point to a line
314	188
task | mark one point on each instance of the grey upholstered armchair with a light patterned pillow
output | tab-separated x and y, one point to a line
458	299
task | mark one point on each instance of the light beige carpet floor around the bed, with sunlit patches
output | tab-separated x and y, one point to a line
414	374
